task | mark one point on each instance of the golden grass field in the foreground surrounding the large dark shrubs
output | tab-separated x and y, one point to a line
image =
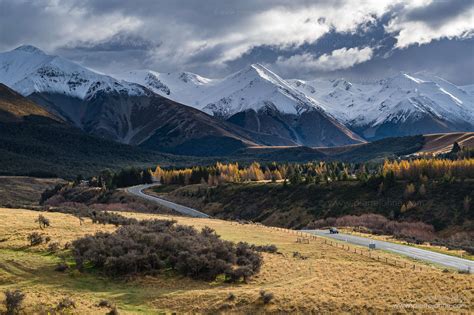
331	280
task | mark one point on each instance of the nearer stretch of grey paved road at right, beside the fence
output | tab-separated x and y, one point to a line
413	252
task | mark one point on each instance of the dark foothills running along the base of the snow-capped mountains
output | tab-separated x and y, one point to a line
35	142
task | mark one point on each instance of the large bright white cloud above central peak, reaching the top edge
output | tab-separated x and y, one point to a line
285	27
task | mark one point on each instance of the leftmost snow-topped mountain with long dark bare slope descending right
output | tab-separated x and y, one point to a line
112	109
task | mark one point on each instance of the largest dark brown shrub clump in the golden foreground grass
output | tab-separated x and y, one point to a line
153	245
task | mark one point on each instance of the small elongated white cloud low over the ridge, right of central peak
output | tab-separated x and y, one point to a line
338	59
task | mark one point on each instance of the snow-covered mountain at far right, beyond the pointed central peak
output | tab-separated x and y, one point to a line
404	98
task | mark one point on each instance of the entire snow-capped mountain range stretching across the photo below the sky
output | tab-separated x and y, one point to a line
185	113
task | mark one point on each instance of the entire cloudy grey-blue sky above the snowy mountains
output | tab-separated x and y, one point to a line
357	39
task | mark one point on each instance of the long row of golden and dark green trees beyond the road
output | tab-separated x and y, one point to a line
293	173
